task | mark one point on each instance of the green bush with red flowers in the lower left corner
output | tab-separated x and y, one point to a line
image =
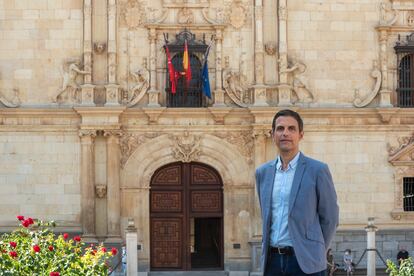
33	249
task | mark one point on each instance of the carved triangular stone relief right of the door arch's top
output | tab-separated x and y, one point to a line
243	141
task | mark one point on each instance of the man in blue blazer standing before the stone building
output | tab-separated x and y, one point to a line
298	203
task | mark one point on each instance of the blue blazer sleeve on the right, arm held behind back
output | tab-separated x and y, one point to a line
328	209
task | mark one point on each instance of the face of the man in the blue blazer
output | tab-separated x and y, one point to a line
287	135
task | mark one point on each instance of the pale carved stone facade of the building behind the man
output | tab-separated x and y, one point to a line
84	118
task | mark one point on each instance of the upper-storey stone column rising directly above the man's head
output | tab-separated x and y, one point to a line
284	88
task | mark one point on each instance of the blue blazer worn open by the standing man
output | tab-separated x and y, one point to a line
313	211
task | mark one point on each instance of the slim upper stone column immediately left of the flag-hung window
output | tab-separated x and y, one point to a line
153	97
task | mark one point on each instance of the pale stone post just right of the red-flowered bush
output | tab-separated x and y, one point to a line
131	248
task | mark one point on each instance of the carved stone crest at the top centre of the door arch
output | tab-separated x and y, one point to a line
186	148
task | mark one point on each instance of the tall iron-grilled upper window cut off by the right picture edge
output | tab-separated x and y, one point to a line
405	67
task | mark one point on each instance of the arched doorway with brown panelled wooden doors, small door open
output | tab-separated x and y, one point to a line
186	218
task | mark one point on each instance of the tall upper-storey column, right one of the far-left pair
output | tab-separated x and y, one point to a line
112	89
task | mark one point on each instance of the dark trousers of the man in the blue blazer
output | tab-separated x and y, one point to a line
285	265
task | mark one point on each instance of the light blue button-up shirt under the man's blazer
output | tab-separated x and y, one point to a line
279	232
